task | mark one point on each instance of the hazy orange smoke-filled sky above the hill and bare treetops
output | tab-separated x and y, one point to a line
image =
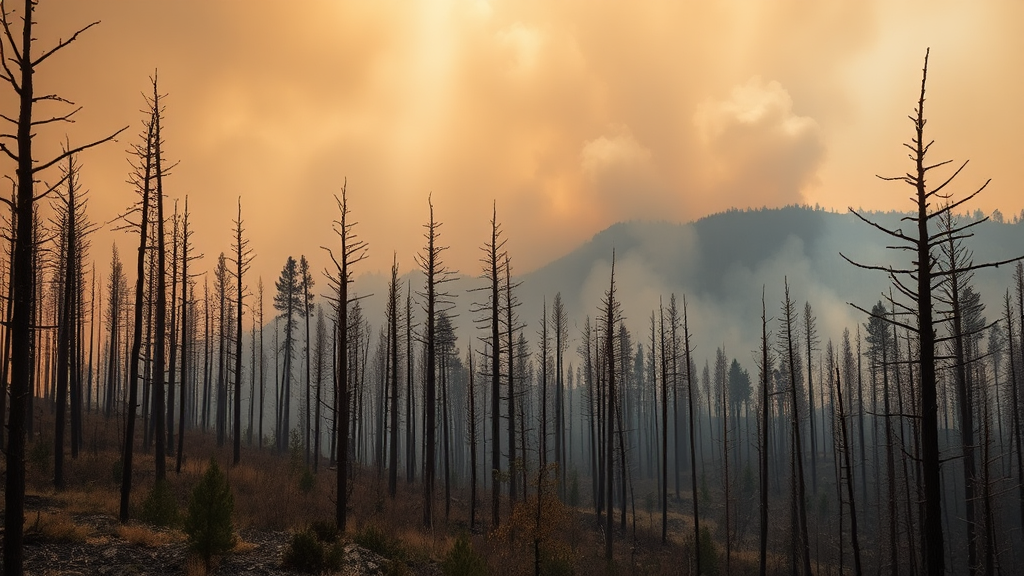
571	115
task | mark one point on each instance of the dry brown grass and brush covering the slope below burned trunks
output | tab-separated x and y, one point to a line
269	495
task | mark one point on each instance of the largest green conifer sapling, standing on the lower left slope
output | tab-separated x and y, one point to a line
209	522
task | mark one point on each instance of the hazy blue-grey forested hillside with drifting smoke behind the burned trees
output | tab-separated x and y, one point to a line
720	264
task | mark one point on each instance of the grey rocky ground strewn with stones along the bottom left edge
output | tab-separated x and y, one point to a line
97	545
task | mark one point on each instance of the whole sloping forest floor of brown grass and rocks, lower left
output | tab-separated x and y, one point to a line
76	531
